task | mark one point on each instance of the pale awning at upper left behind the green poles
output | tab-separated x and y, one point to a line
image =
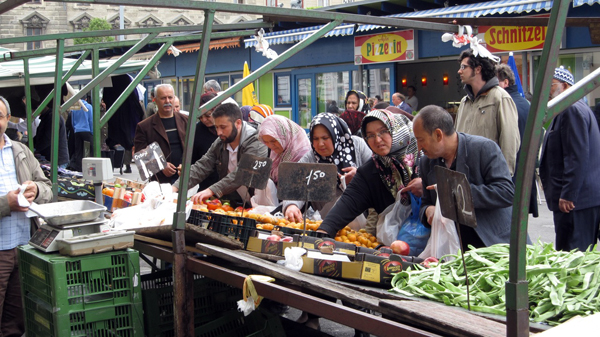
42	70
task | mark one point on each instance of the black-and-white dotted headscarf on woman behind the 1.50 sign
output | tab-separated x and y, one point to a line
344	154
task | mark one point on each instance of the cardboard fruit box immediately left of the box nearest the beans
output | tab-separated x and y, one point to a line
331	268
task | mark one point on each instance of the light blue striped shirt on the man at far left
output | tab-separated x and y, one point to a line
14	229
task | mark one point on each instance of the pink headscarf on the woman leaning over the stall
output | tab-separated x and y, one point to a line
290	136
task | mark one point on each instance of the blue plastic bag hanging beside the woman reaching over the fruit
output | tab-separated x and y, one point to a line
413	231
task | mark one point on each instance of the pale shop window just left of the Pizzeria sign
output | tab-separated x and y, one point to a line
331	91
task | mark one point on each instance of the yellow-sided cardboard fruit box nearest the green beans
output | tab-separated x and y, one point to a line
379	268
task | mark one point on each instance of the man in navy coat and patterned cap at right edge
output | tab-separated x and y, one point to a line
569	170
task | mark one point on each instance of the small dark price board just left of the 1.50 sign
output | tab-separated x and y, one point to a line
253	171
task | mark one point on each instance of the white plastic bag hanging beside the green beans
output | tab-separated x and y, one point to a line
443	239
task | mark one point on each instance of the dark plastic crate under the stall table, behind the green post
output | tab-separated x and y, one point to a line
211	299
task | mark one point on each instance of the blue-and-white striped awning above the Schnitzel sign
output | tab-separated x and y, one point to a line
481	9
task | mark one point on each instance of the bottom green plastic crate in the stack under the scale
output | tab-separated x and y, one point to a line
122	321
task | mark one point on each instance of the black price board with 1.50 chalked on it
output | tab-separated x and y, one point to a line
309	182
